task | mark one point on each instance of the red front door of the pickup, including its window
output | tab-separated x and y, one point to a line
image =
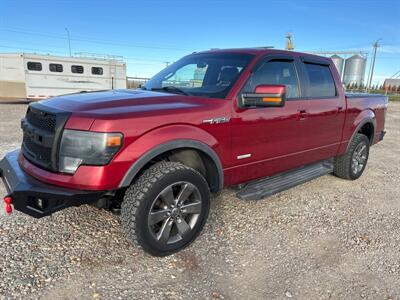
269	140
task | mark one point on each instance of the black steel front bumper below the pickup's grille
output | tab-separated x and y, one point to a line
36	198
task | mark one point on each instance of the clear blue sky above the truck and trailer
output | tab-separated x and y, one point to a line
149	33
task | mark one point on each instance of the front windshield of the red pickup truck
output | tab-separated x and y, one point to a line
207	75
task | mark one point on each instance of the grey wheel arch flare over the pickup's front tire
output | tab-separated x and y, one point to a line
212	162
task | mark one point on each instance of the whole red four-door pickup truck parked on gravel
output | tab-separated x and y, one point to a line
259	118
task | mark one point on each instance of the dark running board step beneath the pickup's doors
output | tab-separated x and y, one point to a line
268	186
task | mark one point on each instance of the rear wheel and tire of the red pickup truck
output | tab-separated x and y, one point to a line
345	165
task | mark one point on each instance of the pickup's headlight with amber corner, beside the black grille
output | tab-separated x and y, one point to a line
87	148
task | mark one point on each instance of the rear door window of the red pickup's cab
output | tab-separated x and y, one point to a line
321	83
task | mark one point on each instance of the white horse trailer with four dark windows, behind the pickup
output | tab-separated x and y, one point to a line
34	76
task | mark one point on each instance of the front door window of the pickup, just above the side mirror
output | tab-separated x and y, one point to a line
275	72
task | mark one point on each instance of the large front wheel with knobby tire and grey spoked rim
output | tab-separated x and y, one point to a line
150	210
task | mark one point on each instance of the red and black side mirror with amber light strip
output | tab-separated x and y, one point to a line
265	96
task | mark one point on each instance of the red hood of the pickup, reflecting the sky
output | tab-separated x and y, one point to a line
123	102
